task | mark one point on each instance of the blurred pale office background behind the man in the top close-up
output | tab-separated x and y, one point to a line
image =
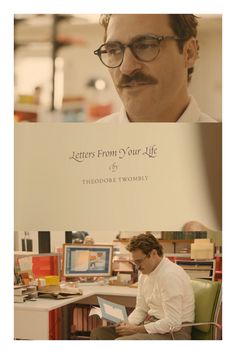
59	79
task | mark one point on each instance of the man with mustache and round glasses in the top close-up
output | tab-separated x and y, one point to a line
150	58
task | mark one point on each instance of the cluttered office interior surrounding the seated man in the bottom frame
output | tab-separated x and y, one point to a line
39	265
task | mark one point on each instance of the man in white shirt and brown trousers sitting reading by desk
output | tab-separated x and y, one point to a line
165	297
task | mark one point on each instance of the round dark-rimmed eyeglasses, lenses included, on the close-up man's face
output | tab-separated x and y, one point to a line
145	48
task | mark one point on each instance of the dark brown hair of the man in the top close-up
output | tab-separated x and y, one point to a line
183	25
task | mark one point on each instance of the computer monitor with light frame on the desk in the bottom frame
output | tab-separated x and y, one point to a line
87	260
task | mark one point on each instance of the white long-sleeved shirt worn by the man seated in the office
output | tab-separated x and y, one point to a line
166	294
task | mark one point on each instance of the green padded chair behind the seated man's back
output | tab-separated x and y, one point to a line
207	302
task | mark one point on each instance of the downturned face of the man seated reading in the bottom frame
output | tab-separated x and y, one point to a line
145	263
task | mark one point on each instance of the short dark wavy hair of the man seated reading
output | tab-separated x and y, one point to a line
146	243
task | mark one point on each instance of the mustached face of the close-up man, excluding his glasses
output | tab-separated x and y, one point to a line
165	89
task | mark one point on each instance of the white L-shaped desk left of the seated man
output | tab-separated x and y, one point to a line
31	319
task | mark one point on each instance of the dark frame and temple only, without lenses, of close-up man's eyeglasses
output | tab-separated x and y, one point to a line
159	39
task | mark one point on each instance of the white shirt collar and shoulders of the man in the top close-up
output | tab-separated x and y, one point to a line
192	114
